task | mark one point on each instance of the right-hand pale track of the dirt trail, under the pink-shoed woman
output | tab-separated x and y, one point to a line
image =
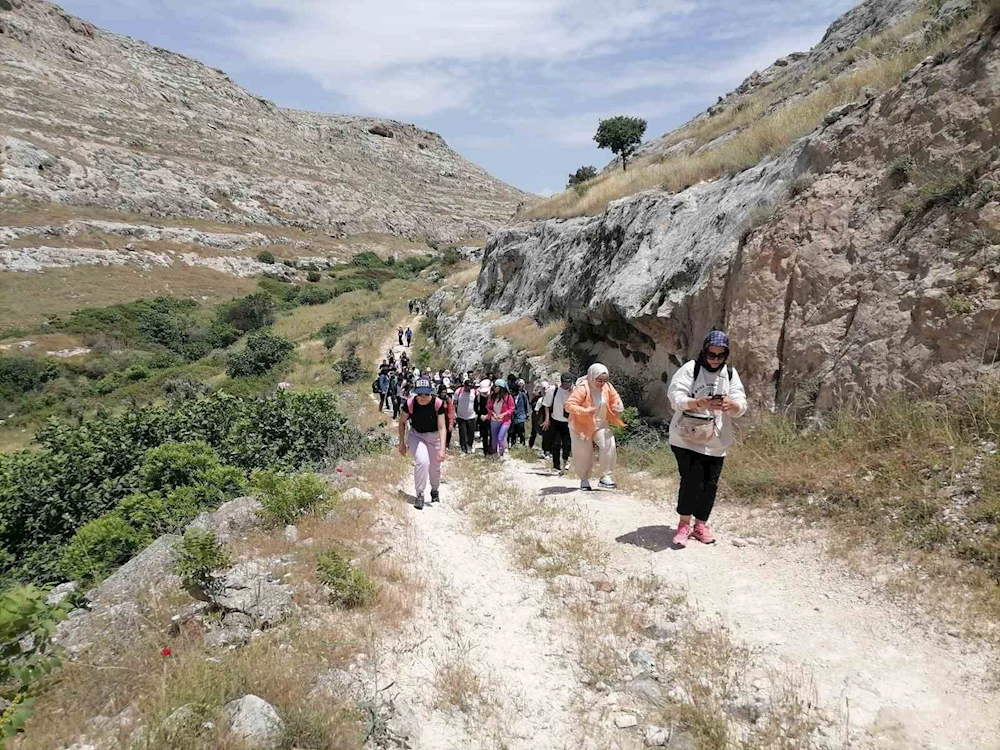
908	687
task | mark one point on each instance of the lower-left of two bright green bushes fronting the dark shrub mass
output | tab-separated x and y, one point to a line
100	546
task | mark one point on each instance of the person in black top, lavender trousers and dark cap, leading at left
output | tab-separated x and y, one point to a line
426	416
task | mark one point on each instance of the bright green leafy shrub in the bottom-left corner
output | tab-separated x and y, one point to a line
27	653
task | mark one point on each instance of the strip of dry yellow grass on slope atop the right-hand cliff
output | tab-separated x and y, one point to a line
759	133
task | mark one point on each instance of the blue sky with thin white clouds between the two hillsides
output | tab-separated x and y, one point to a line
516	86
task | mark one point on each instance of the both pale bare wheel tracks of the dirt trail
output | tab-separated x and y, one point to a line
899	685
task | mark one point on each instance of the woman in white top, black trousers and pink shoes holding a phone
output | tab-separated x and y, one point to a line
707	394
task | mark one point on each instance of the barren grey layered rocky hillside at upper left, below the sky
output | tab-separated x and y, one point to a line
92	118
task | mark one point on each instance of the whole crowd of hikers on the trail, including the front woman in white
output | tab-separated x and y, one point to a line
570	417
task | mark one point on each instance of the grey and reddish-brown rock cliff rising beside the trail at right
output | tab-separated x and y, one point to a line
865	257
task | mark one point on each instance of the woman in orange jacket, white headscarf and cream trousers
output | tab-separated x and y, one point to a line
593	407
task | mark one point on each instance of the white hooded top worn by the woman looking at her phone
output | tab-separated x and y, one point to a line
683	385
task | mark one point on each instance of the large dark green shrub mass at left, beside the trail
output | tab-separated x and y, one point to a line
81	472
